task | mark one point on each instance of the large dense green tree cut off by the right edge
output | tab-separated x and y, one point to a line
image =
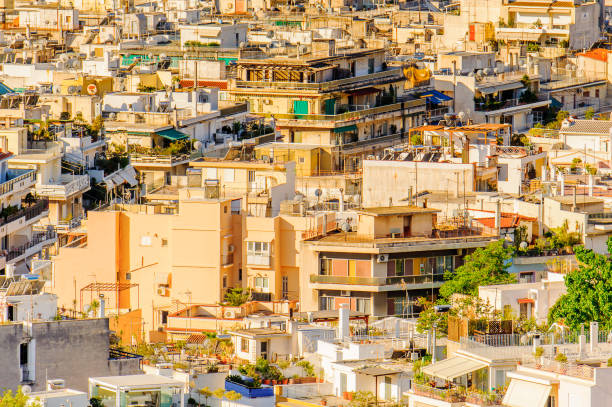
589	291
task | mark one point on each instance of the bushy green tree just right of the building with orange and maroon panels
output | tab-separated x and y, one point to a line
486	266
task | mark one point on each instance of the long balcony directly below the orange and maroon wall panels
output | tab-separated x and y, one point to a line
382	283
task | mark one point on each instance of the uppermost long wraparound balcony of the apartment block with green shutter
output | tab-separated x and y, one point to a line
388	76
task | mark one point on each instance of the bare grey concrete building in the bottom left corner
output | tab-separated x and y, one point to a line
71	350
